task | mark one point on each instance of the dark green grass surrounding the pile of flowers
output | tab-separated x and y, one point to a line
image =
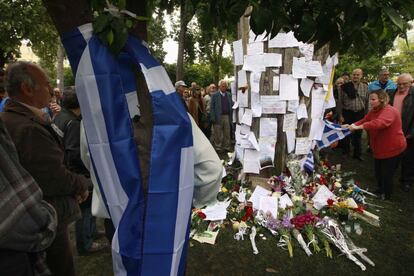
390	246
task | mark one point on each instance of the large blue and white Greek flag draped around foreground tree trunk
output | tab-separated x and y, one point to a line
152	233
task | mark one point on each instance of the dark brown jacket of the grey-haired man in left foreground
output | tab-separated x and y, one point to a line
41	154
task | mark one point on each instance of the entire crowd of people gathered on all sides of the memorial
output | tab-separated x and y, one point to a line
47	186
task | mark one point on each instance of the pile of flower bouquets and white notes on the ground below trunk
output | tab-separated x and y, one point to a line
316	210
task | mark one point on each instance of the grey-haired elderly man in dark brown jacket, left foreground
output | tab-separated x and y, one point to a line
41	153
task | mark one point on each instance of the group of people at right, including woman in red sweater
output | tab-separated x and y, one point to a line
386	111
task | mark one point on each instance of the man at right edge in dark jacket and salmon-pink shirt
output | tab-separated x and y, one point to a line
403	100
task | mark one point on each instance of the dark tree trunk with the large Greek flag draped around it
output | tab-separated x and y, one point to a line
66	16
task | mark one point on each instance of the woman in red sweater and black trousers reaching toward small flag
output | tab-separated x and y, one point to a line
387	141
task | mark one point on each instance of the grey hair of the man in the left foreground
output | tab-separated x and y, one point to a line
16	74
